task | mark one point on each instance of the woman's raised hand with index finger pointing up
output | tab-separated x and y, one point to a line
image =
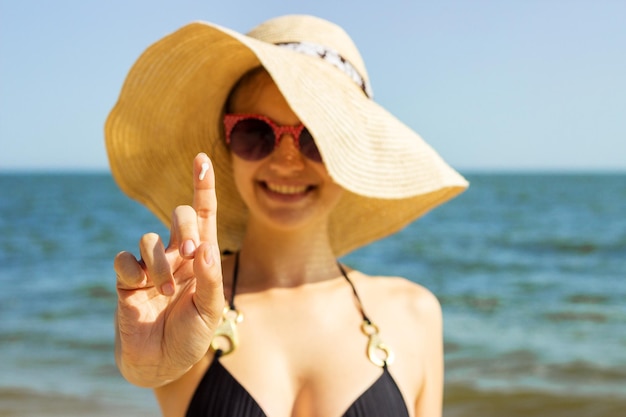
170	301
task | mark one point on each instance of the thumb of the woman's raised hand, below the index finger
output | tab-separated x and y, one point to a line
209	295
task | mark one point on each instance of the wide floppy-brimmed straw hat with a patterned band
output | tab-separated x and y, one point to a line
171	105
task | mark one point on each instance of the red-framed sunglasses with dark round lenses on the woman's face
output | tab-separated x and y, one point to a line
253	137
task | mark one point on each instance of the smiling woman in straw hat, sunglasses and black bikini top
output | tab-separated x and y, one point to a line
304	167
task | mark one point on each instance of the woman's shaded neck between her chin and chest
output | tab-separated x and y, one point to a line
286	258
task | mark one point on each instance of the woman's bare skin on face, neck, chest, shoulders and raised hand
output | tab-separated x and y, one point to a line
302	352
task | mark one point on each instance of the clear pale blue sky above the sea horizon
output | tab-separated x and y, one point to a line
492	85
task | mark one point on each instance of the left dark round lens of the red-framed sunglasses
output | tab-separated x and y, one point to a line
252	139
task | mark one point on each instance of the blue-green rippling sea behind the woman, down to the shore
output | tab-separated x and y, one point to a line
530	270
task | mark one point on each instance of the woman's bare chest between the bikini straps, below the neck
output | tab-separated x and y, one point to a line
304	359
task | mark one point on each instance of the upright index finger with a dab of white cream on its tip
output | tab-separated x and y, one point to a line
204	198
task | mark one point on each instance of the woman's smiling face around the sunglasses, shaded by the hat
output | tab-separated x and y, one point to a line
285	189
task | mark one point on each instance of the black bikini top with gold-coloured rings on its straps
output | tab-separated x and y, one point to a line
219	394
